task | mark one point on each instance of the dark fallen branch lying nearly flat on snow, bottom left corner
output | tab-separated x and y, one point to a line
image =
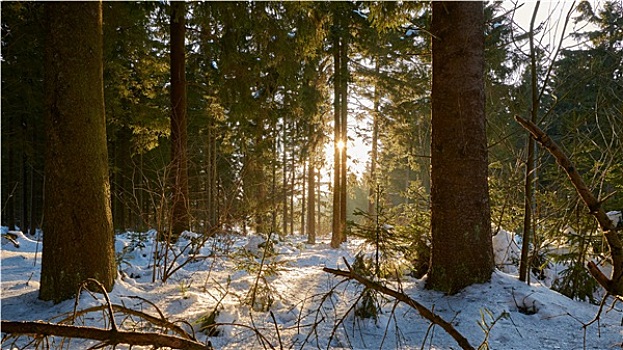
107	336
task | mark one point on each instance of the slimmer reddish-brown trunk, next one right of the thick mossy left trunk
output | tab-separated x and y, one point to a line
180	216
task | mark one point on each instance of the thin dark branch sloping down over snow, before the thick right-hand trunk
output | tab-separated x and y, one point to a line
426	313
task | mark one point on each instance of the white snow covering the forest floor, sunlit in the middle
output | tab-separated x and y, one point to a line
307	305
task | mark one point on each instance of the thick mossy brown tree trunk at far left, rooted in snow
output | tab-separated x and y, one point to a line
78	239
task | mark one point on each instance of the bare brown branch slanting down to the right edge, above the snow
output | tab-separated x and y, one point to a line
613	285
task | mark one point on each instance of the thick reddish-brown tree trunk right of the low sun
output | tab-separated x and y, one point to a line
462	251
